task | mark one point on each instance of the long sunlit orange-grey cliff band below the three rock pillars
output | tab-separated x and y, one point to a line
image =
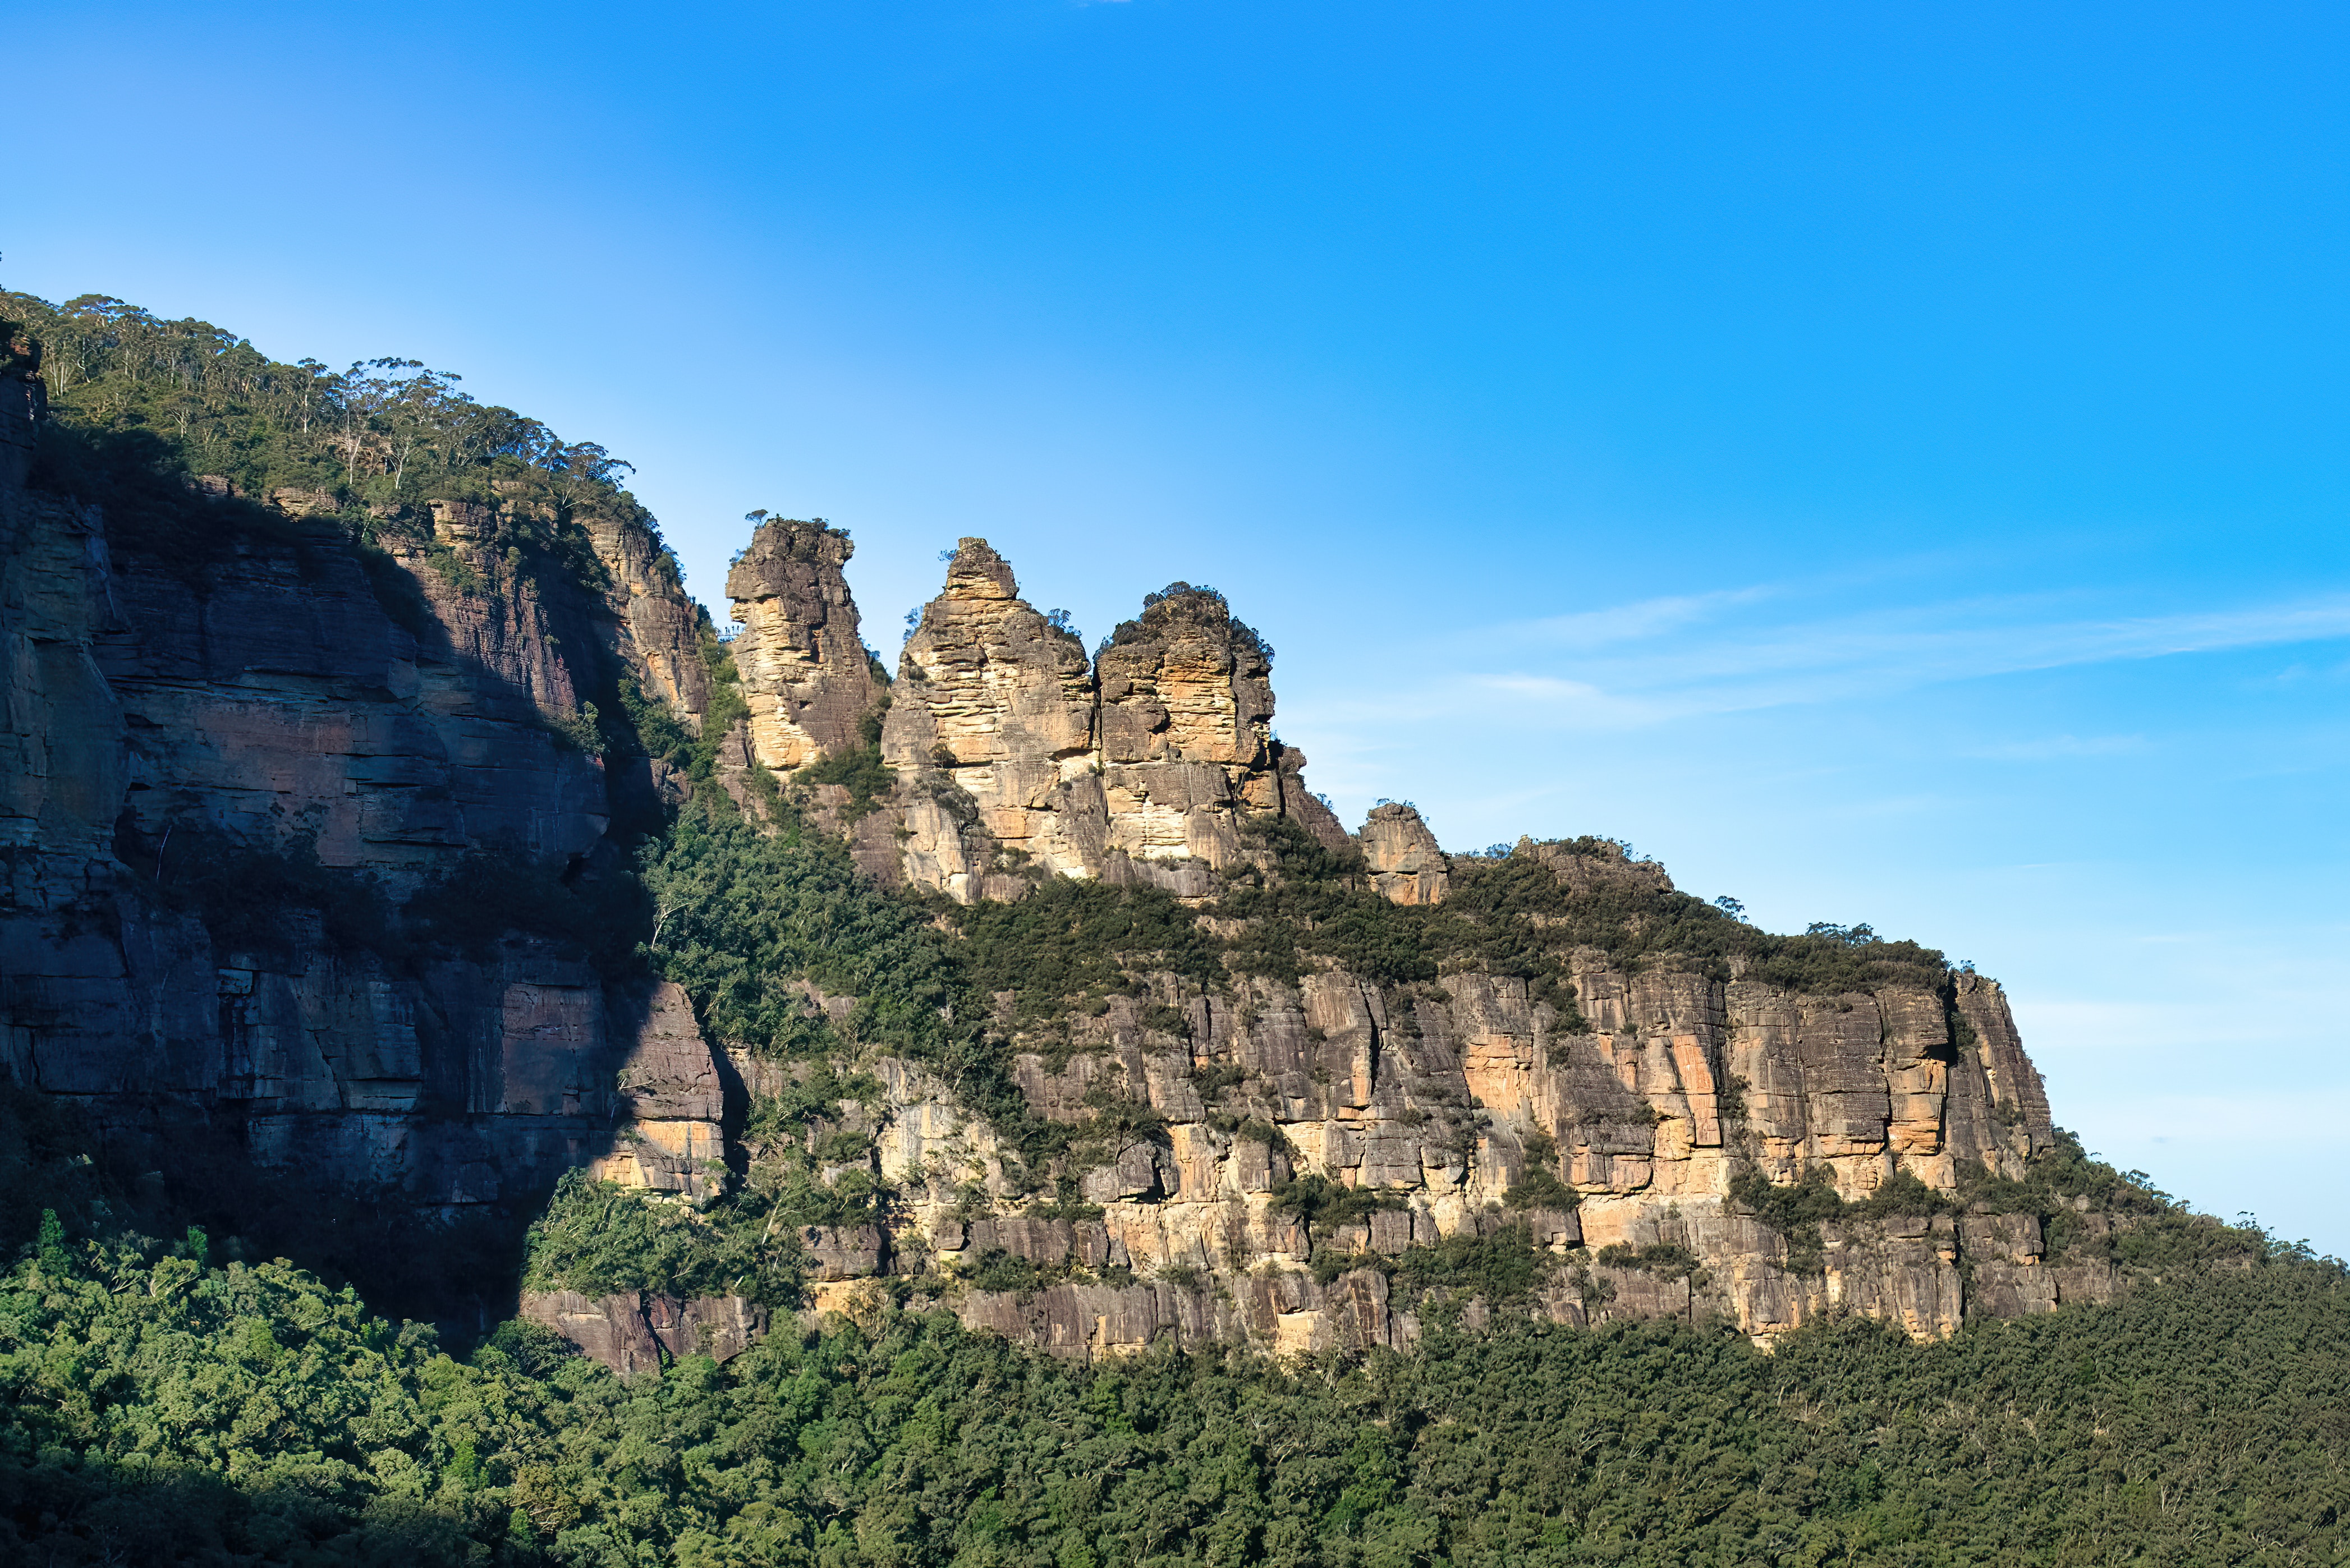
1446	1108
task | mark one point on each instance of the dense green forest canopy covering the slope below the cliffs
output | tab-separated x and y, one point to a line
163	1409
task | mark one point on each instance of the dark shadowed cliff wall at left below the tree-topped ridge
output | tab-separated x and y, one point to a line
220	768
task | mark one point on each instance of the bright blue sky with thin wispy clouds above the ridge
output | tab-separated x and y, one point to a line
1884	462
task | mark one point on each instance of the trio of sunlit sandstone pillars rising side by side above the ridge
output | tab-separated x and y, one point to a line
1019	758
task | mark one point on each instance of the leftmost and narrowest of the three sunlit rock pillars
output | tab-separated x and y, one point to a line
805	666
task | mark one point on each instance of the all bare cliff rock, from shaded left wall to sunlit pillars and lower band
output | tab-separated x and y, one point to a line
224	772
